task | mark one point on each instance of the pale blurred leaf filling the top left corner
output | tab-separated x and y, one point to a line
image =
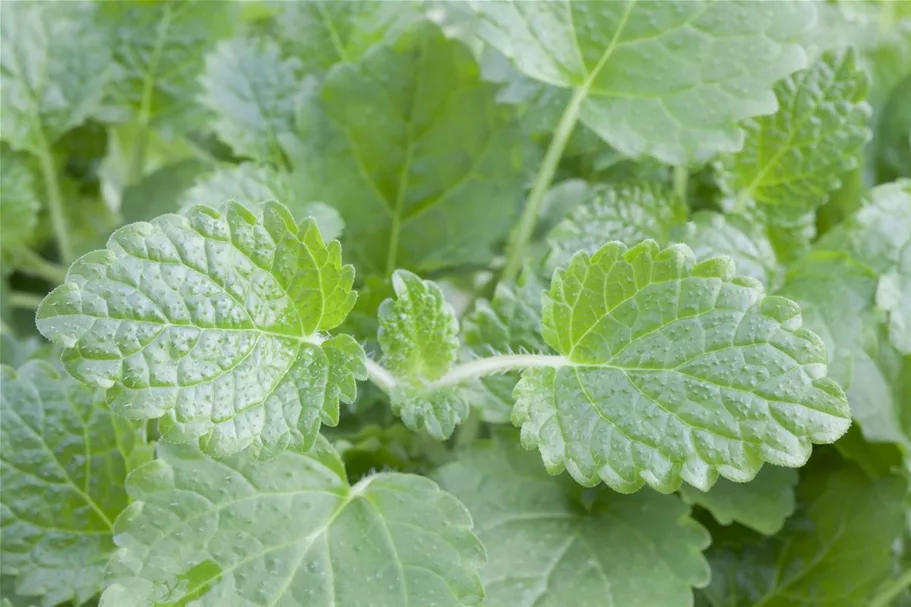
54	65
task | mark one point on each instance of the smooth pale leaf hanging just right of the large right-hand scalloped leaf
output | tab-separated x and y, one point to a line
837	296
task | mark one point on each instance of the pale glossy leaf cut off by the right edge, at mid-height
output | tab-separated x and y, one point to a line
879	235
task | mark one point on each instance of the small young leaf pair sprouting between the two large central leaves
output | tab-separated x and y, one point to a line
418	334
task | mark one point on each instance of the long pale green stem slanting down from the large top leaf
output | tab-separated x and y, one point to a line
519	242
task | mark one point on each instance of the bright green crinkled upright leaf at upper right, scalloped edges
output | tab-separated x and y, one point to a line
792	159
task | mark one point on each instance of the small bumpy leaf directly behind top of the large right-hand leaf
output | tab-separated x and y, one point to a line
626	213
